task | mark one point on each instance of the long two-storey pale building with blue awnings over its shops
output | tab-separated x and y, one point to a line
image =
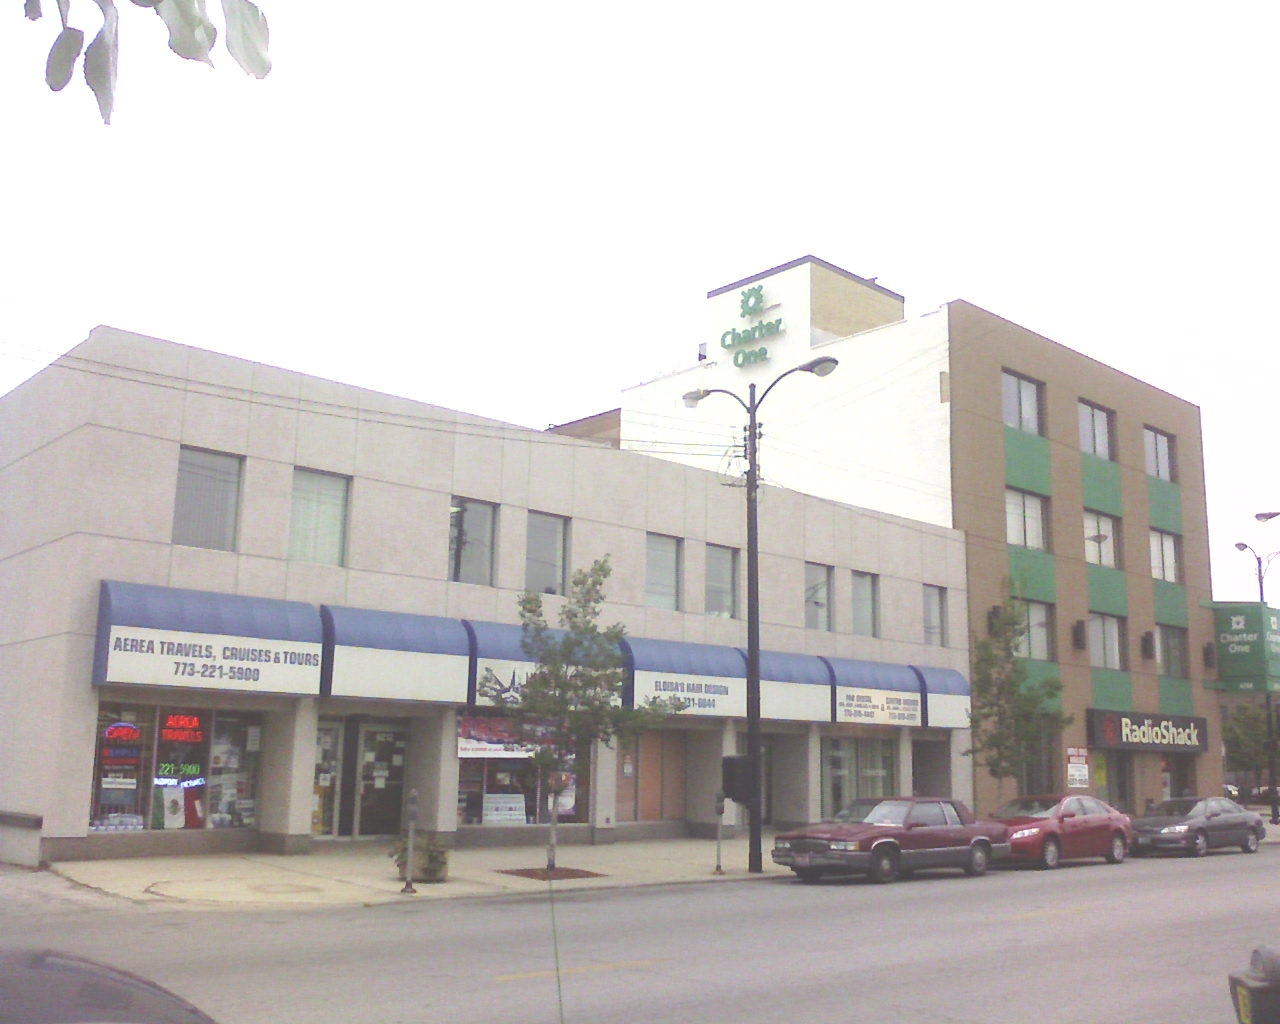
246	609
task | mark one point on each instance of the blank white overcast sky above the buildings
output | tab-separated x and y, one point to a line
518	209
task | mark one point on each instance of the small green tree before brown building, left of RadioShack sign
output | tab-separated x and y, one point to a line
1009	716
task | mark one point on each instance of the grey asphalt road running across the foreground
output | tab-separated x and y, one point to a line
1145	941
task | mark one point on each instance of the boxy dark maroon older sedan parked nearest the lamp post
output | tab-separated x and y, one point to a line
885	838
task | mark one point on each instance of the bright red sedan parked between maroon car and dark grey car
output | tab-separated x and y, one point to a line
1048	830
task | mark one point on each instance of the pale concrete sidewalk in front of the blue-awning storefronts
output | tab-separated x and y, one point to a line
362	874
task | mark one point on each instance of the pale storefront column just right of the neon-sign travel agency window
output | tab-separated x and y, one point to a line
289	778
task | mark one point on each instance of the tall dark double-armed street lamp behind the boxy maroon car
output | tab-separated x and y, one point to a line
821	368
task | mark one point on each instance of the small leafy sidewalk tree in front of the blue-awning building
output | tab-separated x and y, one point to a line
573	698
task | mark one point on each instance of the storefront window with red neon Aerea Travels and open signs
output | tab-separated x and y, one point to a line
175	769
